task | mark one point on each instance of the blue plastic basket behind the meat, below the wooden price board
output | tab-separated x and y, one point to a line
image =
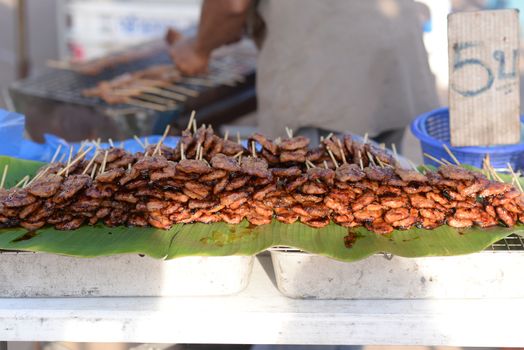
432	129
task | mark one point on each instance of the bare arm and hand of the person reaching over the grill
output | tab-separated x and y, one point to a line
221	22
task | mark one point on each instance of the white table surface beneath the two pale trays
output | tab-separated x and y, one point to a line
261	315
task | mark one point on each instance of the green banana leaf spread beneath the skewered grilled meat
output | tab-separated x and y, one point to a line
222	239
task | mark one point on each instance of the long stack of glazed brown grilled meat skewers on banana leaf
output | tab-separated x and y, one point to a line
208	179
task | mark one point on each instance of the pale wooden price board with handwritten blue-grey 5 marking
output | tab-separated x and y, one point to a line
484	97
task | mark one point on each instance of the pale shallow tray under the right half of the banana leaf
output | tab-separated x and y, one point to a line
482	275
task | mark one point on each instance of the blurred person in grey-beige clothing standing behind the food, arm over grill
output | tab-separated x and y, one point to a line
331	65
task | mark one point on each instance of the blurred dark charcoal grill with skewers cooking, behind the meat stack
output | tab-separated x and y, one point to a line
53	102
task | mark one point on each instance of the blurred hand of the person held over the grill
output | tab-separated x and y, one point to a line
188	59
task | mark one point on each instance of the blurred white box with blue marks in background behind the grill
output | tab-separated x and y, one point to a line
98	27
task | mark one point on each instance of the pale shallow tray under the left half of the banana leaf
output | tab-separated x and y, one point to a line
25	274
